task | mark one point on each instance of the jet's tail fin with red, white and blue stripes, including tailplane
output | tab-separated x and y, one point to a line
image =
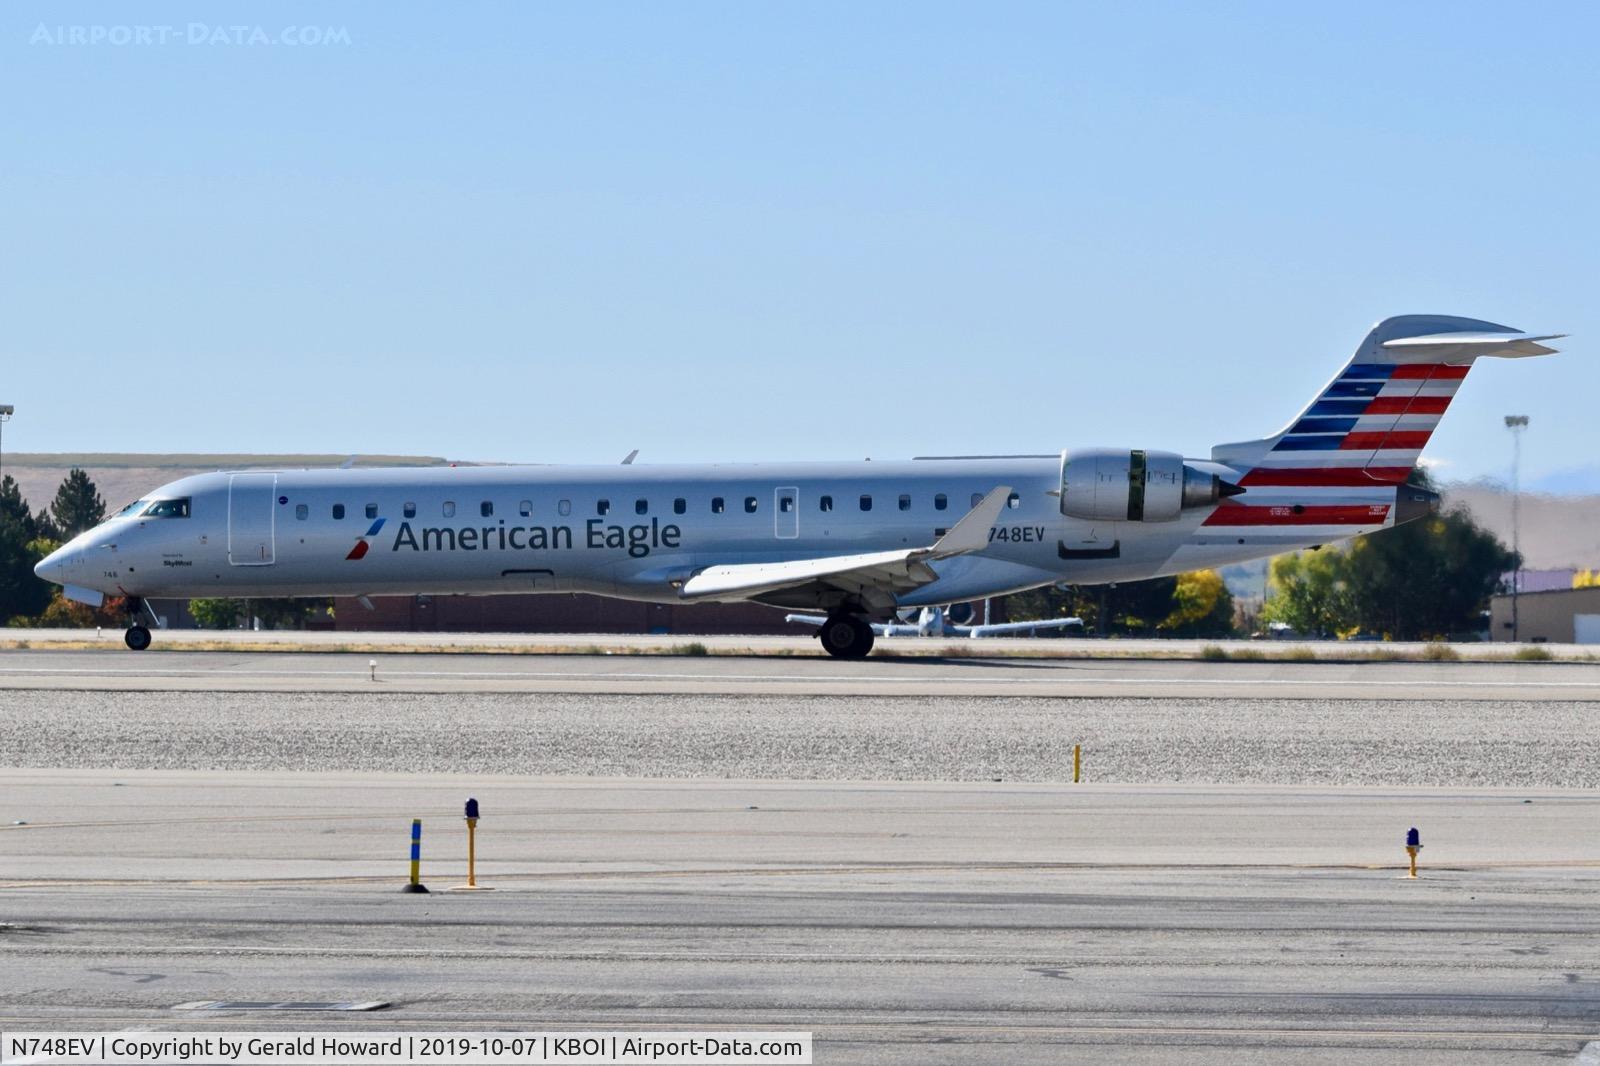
1335	470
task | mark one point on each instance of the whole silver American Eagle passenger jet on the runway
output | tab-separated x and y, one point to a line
855	542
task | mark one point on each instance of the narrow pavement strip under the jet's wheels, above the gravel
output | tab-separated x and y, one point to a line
116	670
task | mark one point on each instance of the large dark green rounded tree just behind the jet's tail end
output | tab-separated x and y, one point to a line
1426	579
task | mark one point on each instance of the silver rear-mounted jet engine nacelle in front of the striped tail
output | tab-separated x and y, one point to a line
1135	486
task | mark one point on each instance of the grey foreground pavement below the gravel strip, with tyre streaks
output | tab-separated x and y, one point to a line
902	923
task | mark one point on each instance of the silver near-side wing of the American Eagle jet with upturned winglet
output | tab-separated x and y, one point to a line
892	572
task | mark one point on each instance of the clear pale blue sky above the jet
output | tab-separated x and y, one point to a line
542	233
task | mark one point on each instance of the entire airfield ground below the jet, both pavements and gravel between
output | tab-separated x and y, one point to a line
889	854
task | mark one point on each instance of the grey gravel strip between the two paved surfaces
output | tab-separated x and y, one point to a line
1294	742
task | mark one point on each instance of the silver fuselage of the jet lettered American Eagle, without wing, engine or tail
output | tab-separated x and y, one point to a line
634	532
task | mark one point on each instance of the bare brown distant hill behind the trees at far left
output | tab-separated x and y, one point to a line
124	478
